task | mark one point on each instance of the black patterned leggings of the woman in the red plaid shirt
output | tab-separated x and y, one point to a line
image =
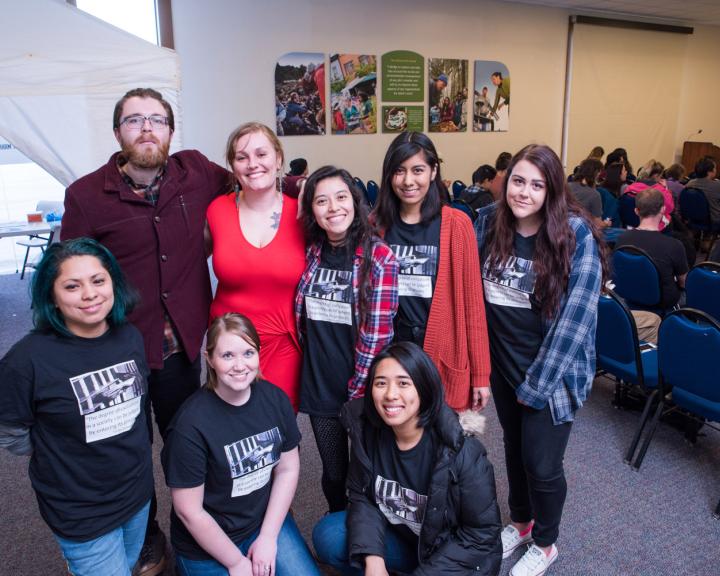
332	443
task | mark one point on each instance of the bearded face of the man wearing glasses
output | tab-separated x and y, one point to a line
148	147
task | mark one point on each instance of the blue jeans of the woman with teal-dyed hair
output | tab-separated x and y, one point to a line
112	554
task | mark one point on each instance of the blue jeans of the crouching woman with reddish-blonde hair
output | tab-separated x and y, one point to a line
293	557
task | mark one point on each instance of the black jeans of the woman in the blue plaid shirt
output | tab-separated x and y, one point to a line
534	451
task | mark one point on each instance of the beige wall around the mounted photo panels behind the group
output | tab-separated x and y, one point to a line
228	50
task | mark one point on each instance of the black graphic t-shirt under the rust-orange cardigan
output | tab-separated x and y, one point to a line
416	247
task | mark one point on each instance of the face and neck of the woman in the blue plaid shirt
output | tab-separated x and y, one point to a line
526	191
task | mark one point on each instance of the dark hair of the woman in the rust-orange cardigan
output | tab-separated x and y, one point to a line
404	146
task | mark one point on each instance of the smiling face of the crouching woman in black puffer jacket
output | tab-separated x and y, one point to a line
395	397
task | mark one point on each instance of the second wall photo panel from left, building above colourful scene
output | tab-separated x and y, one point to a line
353	78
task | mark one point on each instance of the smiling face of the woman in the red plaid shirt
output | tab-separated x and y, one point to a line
333	208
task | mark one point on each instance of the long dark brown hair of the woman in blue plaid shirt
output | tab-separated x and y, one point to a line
555	241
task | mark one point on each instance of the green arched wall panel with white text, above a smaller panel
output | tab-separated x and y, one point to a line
403	76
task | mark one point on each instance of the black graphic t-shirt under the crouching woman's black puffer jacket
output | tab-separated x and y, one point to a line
402	479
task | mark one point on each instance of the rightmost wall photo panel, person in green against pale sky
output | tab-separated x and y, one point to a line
491	97
